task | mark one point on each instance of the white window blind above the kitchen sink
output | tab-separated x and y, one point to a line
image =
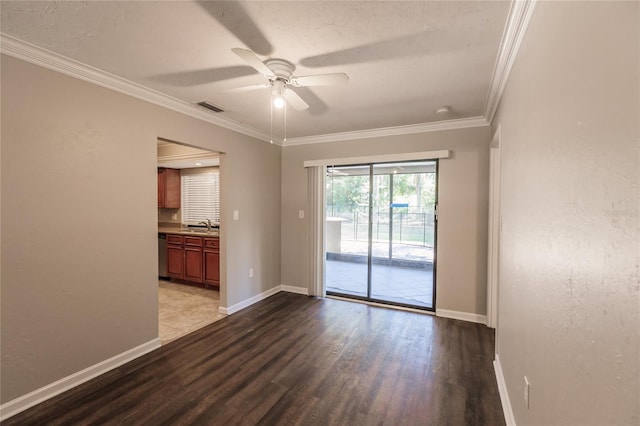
200	197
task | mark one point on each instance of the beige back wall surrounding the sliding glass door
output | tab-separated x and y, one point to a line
463	193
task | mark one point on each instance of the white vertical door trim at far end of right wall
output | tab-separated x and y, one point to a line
493	249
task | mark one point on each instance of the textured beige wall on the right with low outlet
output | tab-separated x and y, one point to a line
568	309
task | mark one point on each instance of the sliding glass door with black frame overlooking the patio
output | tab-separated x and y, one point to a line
381	223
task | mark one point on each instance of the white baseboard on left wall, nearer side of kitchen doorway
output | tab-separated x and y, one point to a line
23	402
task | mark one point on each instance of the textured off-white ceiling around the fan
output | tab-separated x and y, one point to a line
404	58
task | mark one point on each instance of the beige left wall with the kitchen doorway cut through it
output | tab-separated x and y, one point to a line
79	221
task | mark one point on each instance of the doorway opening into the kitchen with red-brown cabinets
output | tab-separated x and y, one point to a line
188	239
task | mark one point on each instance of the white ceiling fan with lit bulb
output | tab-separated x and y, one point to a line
279	72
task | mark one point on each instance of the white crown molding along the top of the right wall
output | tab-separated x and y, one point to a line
520	15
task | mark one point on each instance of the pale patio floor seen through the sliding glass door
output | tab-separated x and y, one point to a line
401	285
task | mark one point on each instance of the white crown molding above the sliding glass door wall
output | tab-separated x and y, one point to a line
461	123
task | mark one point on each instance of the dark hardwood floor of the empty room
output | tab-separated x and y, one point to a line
292	359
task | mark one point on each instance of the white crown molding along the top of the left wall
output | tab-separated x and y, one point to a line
28	52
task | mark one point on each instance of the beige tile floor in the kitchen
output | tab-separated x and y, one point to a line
183	309
